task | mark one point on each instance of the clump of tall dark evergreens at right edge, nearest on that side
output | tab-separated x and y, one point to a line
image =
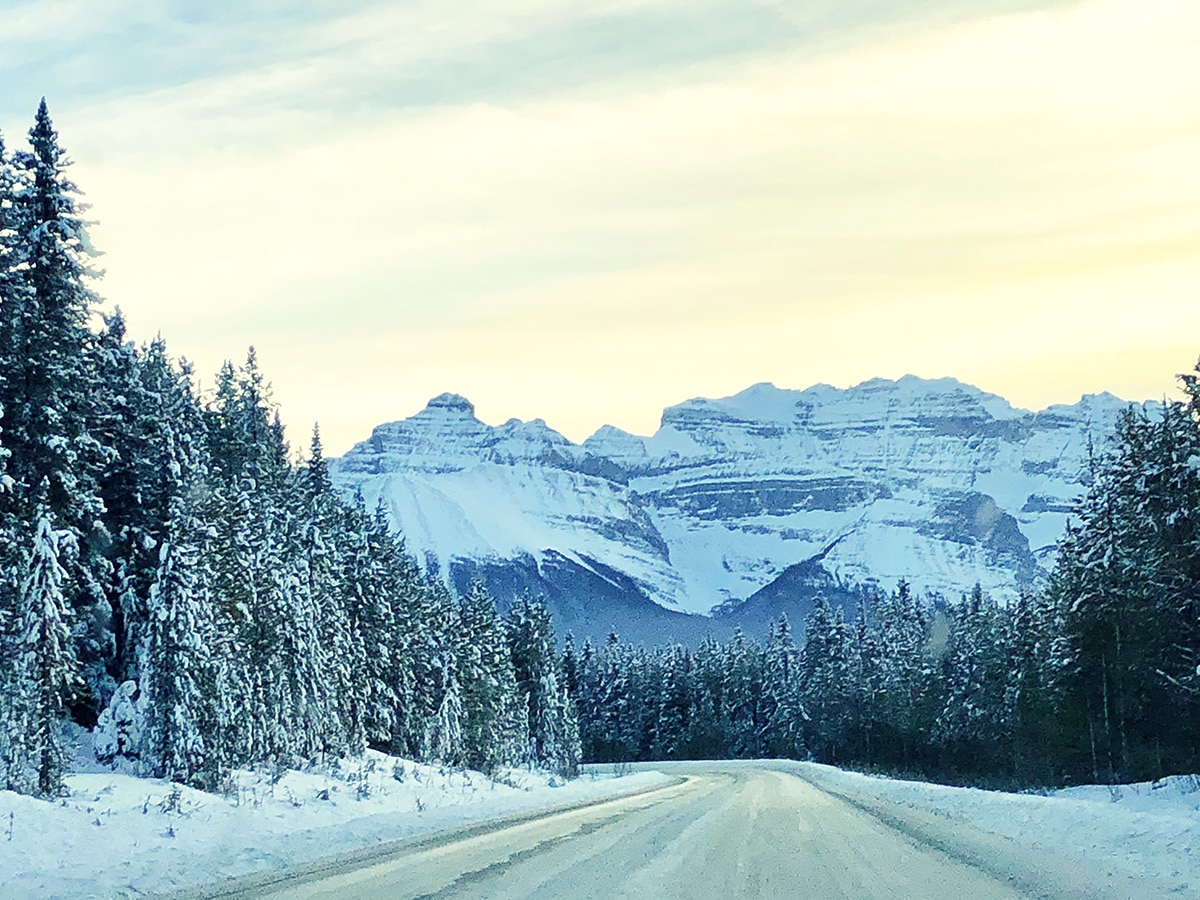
1127	584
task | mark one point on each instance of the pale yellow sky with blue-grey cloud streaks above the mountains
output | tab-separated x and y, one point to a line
589	212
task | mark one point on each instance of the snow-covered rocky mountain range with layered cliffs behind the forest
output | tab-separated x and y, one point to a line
740	508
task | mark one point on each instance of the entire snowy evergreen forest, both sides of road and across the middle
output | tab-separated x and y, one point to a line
175	578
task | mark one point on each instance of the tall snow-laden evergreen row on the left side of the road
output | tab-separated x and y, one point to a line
172	577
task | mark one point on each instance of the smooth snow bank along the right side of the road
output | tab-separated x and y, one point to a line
1150	830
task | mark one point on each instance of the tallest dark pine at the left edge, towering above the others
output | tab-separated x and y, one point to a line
45	386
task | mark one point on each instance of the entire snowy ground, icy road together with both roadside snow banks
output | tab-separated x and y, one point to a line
751	829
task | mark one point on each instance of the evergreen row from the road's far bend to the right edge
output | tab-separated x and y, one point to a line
1096	679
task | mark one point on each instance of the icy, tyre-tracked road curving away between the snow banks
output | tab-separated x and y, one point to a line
724	832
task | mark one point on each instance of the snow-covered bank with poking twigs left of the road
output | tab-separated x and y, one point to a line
119	836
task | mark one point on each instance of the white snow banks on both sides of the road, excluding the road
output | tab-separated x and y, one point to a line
121	836
